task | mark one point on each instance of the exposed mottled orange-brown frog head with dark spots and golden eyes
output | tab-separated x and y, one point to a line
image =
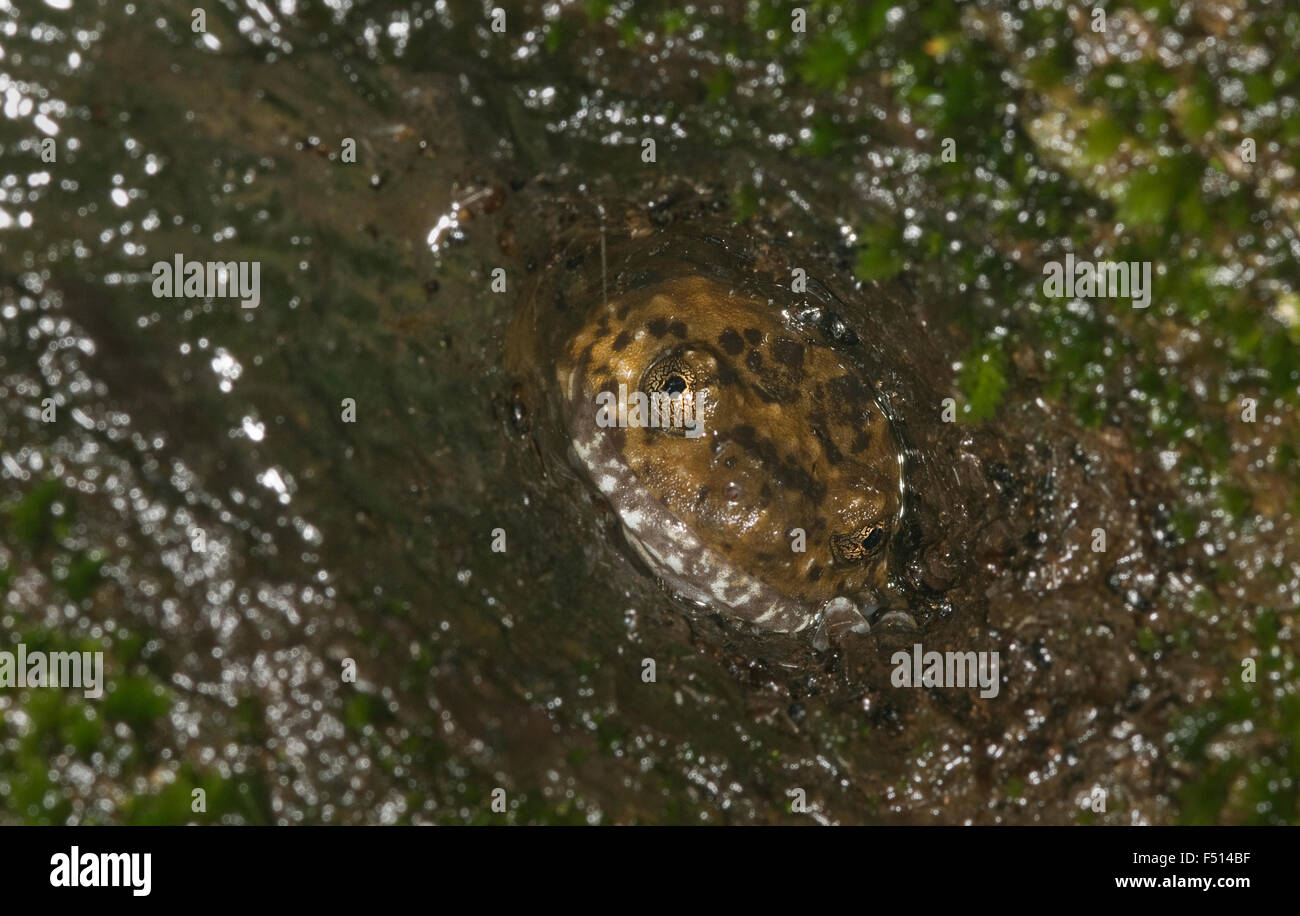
792	440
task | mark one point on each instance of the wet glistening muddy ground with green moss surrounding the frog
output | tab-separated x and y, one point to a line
326	541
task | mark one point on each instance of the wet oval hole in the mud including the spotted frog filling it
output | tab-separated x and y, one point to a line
781	494
